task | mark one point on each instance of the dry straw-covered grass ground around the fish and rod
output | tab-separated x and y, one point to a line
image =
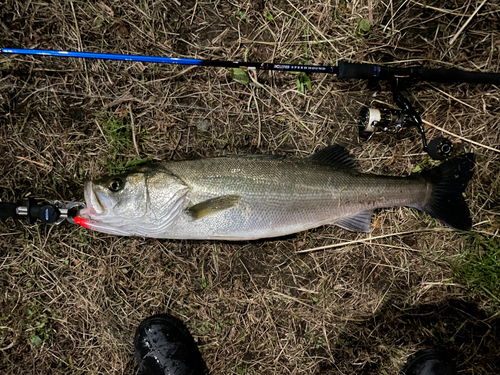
70	298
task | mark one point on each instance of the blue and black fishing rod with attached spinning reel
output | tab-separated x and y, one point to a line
371	120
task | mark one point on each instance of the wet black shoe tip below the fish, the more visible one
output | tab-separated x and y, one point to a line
164	346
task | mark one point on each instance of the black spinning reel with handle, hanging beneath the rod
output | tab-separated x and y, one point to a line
387	120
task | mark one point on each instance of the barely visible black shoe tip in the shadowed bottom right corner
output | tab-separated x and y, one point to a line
429	362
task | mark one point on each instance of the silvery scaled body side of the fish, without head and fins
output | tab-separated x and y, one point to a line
281	197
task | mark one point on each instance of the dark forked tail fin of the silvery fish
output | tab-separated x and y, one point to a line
449	181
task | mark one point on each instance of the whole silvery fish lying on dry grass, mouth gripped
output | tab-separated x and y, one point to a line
248	197
